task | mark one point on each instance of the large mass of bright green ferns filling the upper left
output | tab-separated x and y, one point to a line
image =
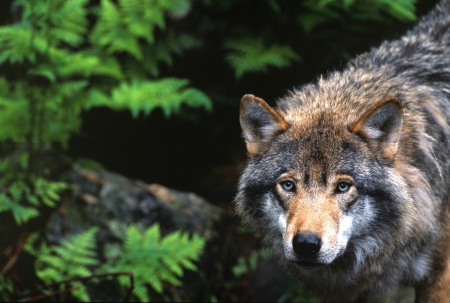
69	65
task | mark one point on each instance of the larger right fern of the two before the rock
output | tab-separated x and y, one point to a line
154	260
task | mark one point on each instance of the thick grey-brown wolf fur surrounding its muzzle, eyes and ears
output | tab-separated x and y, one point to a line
399	242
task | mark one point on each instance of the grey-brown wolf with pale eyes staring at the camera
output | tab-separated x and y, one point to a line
347	178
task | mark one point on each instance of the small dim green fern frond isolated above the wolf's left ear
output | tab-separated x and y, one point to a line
250	55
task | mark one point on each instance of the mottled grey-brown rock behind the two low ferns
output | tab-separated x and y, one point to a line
112	202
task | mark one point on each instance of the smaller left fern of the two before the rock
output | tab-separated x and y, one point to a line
73	257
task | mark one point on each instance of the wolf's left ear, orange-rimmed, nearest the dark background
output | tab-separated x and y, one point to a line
260	124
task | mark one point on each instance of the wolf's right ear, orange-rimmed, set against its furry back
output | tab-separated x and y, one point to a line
381	127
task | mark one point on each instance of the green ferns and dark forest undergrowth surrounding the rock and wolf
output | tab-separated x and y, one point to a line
150	74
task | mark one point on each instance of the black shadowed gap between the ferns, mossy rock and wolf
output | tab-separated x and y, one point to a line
197	151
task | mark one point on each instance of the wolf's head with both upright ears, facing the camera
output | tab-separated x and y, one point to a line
316	184
